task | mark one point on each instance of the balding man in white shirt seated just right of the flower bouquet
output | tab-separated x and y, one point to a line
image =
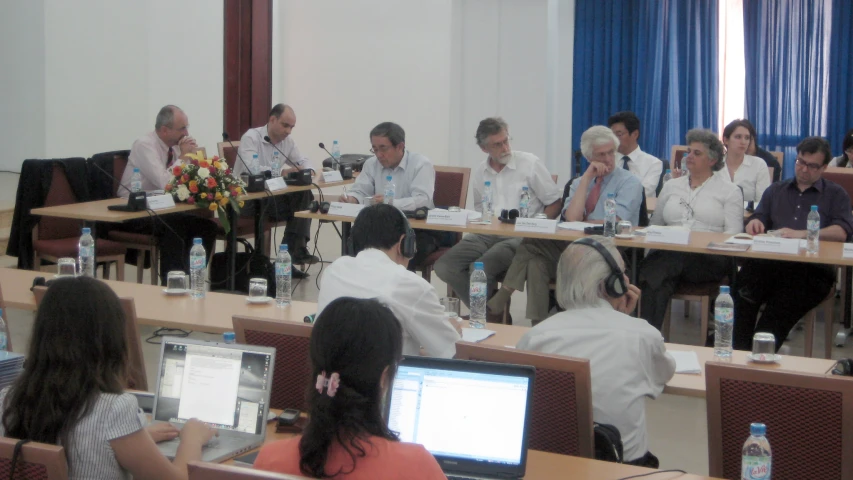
282	120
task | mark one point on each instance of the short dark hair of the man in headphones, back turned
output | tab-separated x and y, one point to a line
377	226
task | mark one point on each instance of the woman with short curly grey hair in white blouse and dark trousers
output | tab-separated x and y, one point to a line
702	202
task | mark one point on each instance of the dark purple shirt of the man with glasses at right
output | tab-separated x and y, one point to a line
784	206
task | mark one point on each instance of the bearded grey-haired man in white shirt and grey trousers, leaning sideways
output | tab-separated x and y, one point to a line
509	172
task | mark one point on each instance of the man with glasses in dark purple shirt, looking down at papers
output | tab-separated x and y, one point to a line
788	290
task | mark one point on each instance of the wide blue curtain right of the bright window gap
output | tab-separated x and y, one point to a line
786	48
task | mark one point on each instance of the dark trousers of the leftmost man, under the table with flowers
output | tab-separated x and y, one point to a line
175	238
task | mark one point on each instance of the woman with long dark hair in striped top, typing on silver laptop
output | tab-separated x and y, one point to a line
71	391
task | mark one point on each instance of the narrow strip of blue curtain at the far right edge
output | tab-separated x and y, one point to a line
840	105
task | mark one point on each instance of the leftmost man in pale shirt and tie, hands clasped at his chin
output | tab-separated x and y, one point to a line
154	154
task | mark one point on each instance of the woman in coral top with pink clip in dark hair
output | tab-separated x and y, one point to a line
355	347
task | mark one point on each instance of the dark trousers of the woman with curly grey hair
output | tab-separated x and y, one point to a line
662	271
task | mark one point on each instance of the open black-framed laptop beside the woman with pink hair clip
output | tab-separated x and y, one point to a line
472	416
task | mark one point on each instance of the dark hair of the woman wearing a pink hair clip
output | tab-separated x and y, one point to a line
357	339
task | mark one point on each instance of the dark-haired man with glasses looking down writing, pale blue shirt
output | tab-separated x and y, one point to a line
413	176
